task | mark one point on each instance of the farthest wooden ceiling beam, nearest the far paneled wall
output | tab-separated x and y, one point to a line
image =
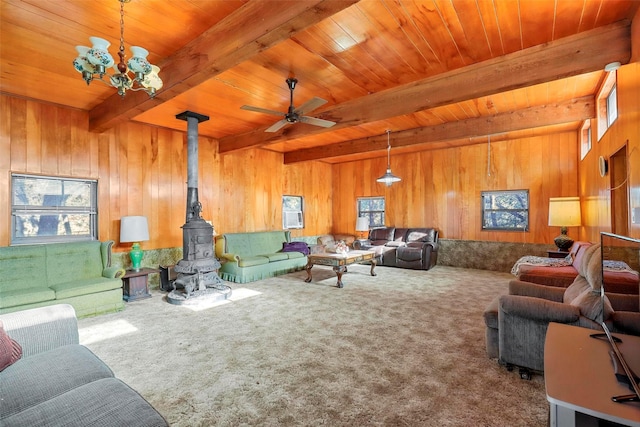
565	112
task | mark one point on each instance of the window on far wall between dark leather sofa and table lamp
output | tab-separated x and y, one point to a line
505	210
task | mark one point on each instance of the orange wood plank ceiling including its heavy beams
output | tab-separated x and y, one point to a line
436	73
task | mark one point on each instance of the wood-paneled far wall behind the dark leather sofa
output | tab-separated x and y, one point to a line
442	188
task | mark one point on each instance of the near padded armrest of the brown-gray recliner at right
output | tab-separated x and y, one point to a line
536	309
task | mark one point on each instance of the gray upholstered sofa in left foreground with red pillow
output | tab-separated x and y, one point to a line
58	382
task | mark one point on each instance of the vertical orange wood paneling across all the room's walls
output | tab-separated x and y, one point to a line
142	171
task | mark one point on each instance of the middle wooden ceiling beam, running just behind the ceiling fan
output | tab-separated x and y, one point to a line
578	54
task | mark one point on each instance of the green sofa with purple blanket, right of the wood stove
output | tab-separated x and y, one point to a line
246	257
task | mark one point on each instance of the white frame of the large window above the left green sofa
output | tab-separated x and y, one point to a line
20	210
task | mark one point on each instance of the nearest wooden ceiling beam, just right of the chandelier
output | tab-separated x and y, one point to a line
251	29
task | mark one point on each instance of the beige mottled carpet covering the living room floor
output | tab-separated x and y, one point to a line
405	348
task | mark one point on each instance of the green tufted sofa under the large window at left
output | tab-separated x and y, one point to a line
78	273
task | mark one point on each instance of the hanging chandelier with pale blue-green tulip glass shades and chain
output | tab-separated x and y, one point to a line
136	74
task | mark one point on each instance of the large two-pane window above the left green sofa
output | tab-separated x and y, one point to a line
49	209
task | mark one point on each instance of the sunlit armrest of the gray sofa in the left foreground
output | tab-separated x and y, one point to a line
42	329
